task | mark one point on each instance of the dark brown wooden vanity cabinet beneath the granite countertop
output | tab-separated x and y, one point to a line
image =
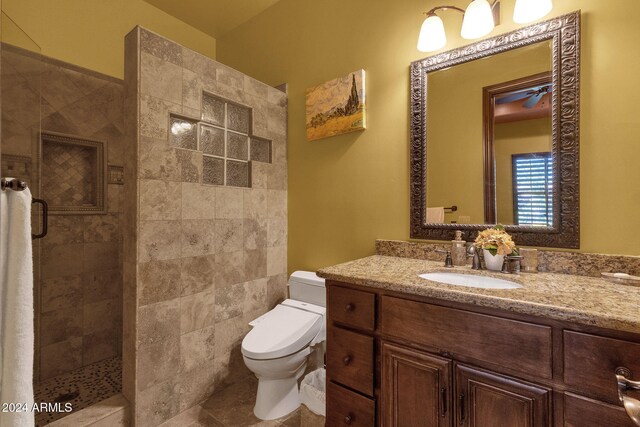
399	360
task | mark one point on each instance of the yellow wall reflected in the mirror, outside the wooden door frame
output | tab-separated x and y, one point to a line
455	165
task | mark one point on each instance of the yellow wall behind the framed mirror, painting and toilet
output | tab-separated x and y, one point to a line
346	191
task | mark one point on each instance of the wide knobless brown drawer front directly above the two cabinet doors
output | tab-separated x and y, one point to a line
520	346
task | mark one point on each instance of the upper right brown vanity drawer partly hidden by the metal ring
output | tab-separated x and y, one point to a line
590	362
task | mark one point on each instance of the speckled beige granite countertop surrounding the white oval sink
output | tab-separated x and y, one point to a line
585	300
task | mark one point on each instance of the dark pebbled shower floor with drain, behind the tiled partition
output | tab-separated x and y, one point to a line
92	384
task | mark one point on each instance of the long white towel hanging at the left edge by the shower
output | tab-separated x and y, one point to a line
16	307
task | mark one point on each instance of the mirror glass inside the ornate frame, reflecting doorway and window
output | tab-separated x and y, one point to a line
489	139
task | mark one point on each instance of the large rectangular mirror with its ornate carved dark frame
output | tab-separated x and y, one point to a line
495	137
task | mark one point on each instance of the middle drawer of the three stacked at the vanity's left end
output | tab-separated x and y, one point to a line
350	359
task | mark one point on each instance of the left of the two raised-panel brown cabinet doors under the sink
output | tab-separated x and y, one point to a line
415	388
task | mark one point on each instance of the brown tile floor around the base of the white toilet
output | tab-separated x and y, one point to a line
231	407
